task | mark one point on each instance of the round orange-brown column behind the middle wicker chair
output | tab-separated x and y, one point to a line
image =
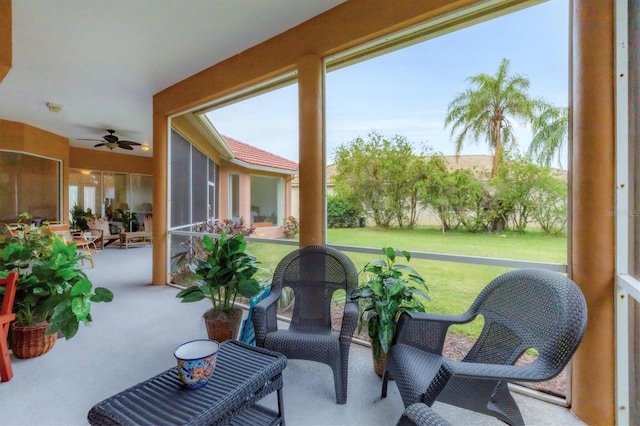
311	144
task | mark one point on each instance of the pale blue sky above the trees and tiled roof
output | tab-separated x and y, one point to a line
406	92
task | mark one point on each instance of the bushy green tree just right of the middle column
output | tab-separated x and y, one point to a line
380	174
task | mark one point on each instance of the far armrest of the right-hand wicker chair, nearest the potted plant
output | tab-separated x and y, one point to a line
427	331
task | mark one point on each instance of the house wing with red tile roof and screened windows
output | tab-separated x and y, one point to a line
241	181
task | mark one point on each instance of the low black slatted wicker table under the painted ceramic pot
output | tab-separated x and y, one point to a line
244	375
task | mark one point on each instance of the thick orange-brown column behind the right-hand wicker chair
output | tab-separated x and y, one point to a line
592	251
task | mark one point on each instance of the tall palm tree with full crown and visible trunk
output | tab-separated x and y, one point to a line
485	111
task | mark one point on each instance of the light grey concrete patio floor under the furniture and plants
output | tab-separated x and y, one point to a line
133	337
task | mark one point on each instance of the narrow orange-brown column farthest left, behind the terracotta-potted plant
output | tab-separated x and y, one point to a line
160	199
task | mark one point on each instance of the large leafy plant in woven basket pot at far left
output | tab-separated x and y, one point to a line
53	295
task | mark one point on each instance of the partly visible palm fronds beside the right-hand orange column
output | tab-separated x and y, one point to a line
550	129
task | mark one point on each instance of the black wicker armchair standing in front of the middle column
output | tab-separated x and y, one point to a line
314	273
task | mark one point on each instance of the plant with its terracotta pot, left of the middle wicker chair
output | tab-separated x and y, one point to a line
223	273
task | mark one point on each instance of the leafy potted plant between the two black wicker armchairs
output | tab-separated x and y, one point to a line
388	290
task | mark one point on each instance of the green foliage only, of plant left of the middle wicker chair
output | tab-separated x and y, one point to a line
224	274
